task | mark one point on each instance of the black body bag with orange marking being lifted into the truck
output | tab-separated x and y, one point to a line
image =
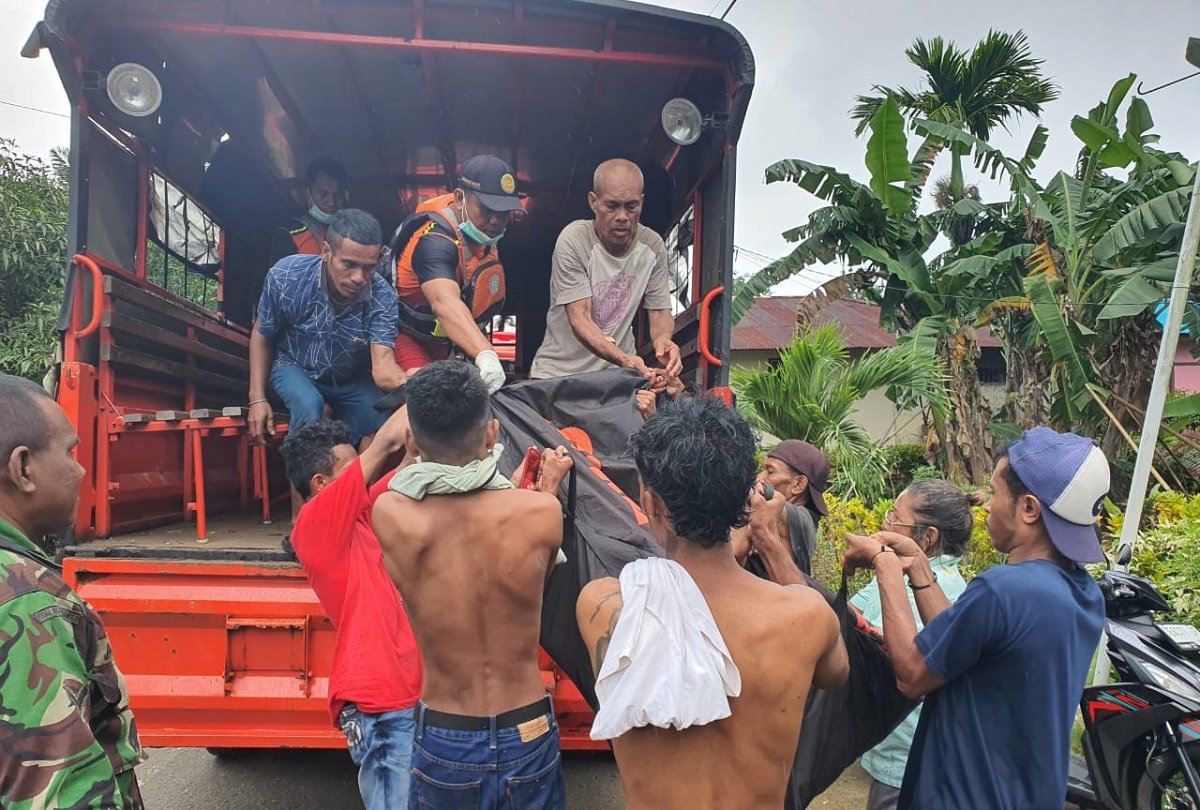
593	416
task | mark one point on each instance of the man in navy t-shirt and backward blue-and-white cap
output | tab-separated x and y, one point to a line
1005	667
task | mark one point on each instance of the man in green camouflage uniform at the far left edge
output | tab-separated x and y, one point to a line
68	737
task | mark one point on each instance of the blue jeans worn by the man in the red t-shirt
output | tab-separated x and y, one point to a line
382	748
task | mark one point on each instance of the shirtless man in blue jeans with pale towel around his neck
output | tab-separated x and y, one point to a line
471	556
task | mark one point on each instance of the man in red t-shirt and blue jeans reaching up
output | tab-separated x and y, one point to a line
377	668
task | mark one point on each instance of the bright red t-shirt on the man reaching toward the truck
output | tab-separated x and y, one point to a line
376	662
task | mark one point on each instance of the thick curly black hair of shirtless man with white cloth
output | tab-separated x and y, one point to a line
699	457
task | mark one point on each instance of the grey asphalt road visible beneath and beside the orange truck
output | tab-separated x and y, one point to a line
193	779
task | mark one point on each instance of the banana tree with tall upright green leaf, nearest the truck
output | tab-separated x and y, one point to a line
877	229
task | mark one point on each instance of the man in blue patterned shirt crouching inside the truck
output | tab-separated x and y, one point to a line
327	333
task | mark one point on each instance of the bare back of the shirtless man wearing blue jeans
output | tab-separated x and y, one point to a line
472	569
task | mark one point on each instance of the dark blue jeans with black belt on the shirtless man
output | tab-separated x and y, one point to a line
491	770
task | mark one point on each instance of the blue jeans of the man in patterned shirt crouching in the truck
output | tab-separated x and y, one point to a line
353	403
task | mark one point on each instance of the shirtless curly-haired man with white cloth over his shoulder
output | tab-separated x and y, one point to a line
697	464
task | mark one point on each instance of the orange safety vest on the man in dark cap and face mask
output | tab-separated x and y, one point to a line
479	274
